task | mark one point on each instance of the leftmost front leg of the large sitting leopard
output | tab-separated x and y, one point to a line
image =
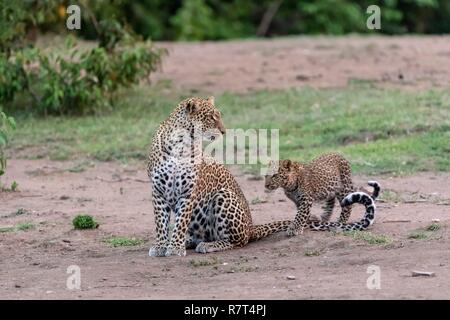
162	218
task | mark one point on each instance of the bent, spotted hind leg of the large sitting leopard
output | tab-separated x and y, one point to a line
229	227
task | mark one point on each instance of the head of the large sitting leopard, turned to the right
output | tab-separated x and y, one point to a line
204	115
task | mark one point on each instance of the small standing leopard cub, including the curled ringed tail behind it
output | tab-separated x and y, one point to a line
326	178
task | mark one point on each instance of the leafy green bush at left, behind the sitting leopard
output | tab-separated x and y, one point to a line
77	82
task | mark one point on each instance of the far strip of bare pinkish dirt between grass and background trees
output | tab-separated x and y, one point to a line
408	62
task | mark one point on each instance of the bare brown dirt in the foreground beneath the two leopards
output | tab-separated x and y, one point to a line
34	262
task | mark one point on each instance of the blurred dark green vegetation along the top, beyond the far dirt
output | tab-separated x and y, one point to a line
227	19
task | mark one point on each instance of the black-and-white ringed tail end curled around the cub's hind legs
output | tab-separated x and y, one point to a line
354	197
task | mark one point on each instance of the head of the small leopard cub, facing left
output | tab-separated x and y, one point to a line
281	174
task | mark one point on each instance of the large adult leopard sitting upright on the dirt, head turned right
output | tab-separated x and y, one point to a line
211	212
